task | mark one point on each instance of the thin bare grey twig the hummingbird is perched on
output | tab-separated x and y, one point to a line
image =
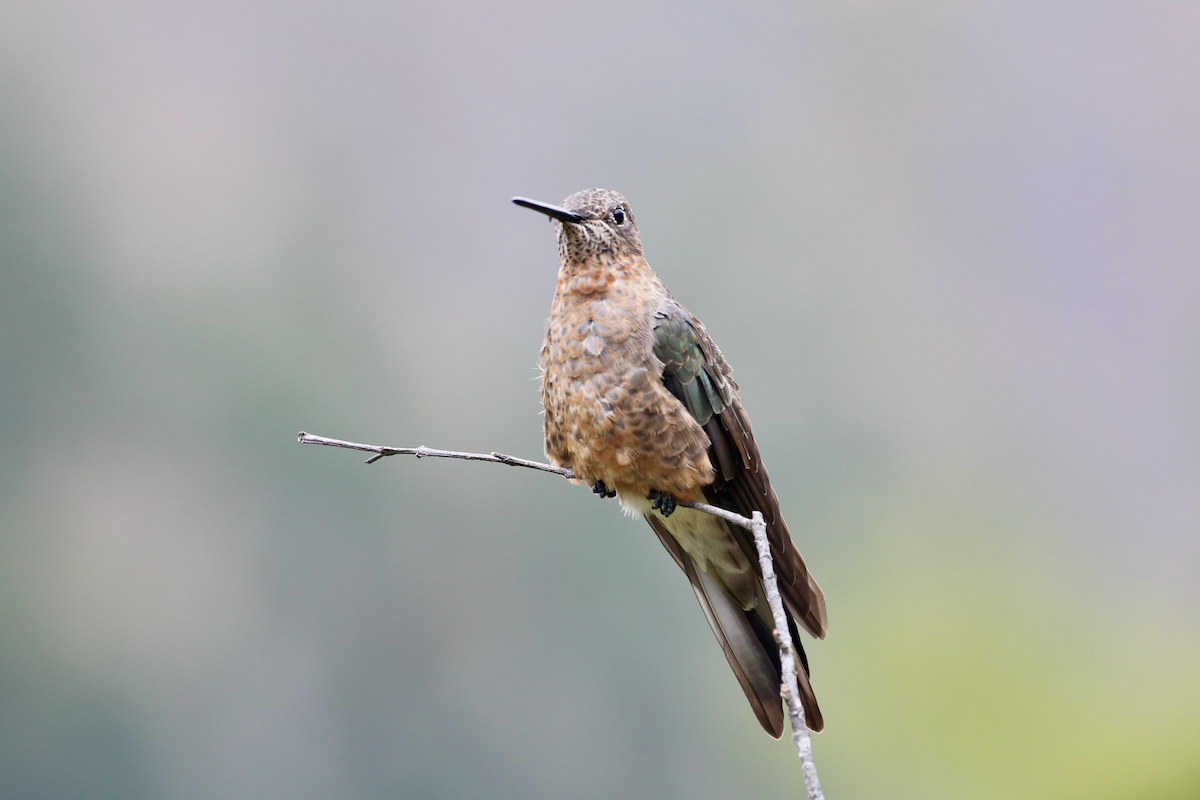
790	690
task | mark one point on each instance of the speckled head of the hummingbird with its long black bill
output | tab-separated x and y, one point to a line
593	224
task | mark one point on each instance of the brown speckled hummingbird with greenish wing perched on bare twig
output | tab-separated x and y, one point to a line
640	404
